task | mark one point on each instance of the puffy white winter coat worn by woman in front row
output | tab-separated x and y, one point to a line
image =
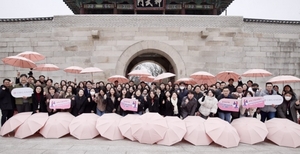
208	105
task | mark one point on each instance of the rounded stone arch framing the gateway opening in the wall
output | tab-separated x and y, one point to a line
159	52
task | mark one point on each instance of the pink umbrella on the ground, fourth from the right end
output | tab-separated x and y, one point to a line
196	131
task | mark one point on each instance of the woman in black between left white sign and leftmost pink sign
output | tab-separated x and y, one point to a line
39	100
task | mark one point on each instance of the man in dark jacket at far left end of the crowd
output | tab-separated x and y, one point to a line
7	103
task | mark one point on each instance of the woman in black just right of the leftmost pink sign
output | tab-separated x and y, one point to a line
78	103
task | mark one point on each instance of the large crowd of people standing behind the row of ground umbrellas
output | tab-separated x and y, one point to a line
169	99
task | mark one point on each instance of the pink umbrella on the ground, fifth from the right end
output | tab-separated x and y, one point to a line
176	131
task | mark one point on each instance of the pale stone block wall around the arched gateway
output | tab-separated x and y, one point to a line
191	43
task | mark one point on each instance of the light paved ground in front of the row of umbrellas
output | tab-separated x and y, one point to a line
68	144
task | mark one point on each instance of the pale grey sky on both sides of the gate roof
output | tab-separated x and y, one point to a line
264	9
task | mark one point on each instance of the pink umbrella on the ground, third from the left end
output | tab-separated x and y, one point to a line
57	125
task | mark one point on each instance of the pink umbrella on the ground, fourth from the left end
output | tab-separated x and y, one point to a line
84	126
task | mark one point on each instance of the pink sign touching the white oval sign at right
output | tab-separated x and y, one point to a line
253	102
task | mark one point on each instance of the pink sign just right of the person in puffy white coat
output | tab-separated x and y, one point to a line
229	105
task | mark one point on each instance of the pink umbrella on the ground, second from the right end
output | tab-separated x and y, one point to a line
250	130
